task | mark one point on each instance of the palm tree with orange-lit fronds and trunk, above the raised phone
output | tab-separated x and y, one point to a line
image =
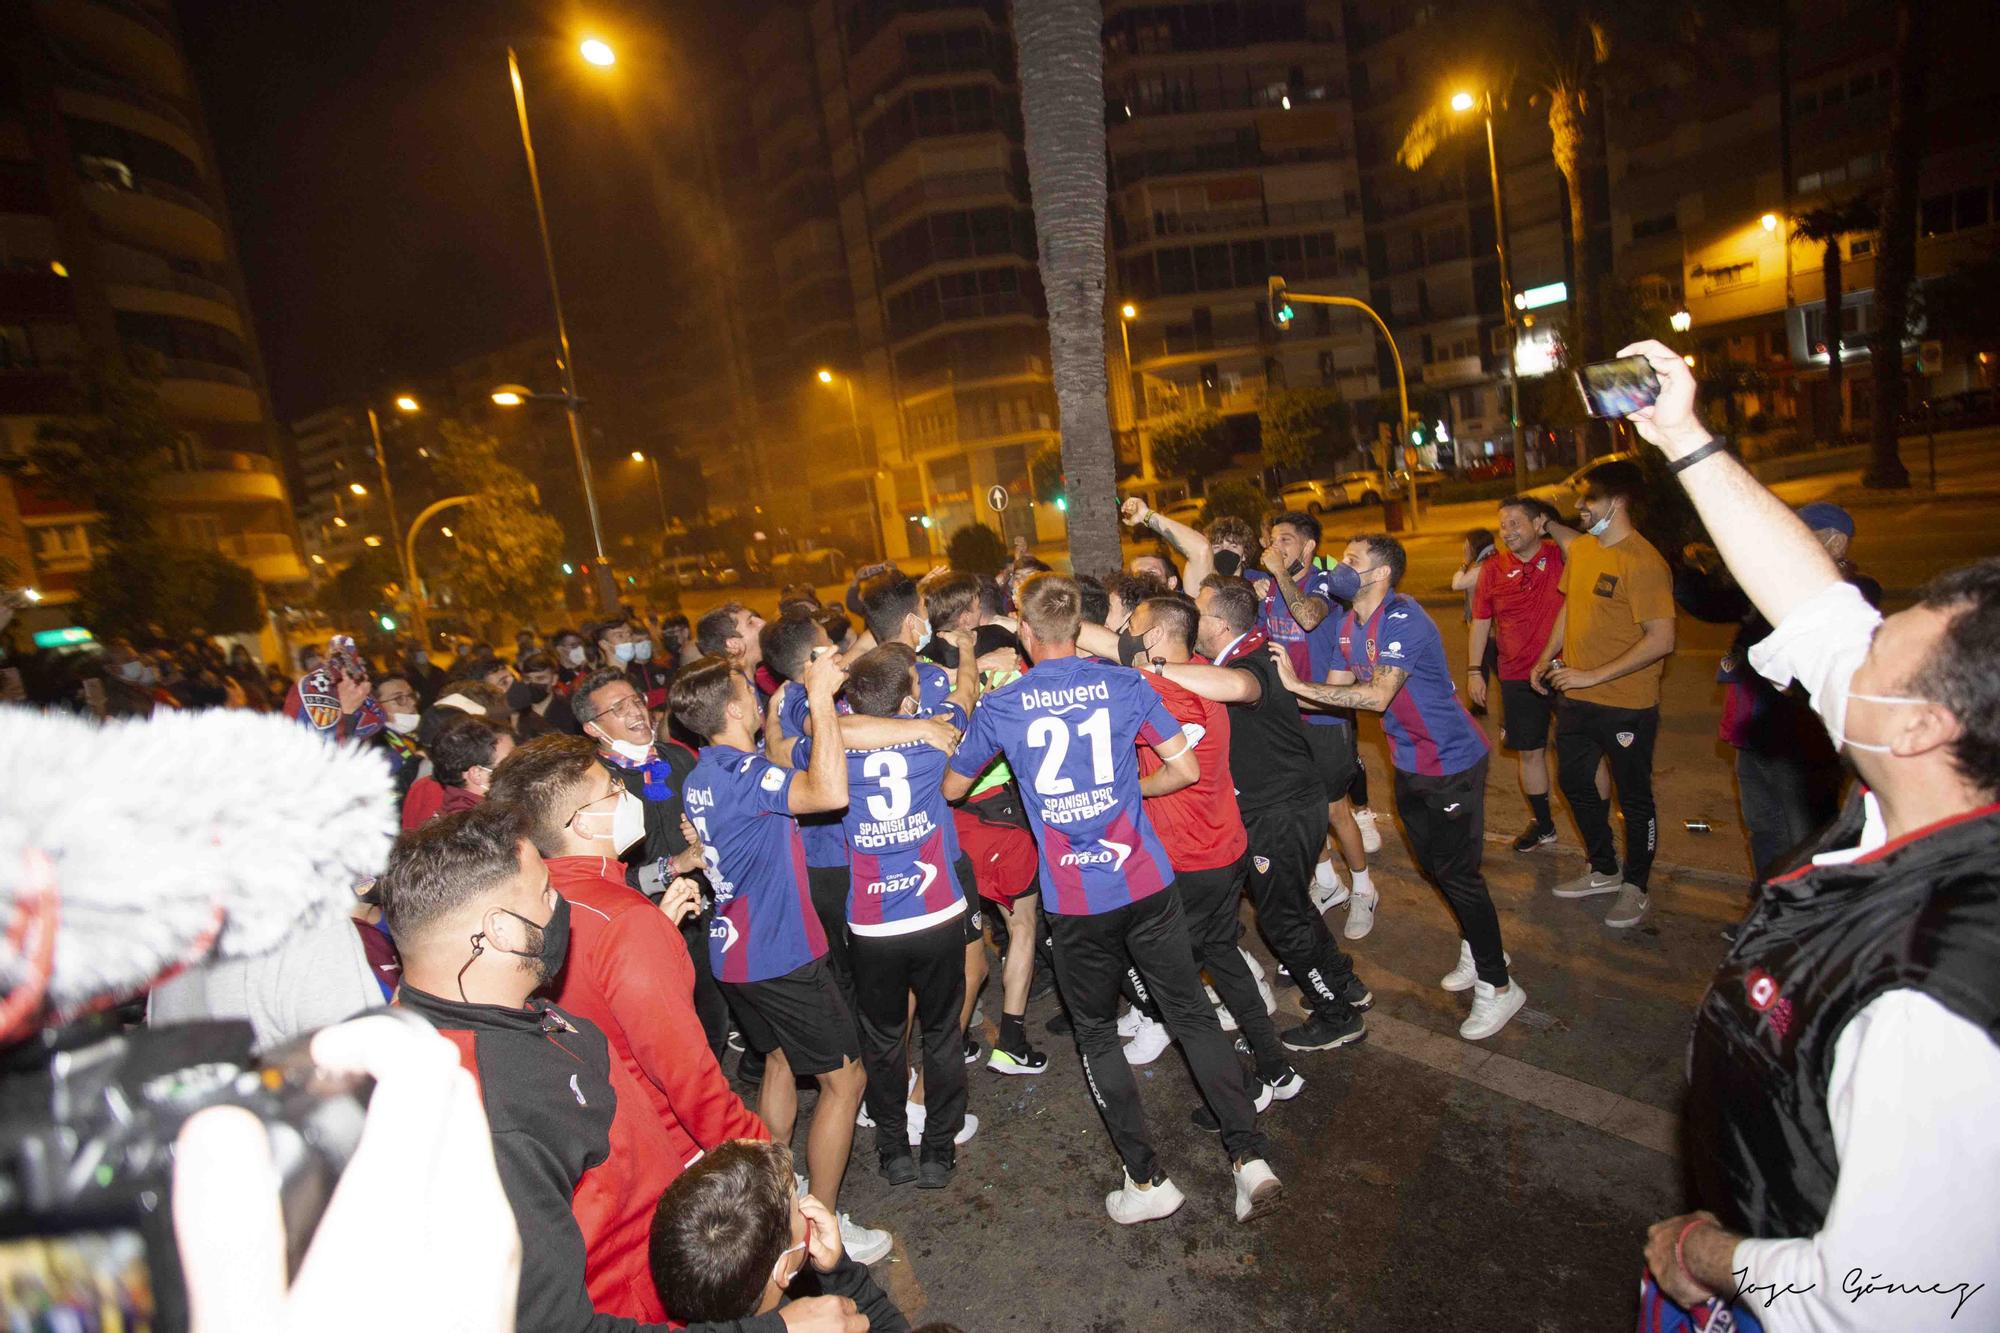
1559	49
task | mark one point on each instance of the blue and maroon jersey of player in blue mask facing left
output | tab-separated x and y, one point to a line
1429	732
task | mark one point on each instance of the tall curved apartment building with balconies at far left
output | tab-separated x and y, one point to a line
115	241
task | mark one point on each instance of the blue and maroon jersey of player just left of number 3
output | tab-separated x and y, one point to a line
757	866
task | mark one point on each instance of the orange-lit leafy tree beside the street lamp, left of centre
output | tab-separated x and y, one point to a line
509	551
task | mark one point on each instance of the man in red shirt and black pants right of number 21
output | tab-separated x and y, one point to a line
1205	838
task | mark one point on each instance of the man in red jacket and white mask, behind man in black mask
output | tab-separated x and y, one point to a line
631	976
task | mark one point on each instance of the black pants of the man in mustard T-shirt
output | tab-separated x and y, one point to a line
1625	738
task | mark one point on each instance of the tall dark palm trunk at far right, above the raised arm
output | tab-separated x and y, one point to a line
1897	261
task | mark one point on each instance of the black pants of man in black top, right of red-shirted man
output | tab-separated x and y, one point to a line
1285	846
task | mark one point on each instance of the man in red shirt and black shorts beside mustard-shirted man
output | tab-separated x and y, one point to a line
1519	597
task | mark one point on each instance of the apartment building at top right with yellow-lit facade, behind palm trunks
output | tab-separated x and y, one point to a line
1707	183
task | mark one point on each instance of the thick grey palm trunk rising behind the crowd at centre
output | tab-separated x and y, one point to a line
1063	113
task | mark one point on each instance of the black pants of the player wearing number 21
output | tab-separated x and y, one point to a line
1093	956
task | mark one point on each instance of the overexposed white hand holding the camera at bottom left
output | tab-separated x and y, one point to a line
419	1210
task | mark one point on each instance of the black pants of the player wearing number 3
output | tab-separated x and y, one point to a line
887	972
